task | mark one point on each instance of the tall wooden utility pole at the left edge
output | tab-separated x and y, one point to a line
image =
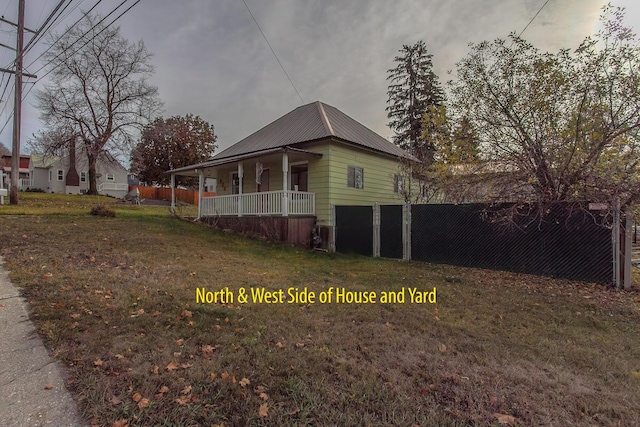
17	107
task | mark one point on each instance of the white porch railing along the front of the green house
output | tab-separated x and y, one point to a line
262	204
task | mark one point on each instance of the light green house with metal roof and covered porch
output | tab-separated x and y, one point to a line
301	165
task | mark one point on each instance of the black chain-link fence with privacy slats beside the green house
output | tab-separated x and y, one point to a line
567	244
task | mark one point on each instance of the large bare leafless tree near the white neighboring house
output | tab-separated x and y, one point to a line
98	90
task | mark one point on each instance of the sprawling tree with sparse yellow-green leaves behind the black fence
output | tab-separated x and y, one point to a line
556	126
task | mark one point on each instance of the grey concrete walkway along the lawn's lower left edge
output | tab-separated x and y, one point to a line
26	370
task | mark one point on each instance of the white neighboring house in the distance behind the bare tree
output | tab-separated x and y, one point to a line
53	174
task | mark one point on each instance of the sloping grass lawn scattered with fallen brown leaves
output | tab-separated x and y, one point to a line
115	300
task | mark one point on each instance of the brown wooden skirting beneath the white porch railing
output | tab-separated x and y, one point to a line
293	230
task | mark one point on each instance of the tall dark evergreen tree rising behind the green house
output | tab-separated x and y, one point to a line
414	87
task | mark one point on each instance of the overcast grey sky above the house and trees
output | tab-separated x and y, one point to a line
212	61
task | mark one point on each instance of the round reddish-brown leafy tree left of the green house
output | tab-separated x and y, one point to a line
172	143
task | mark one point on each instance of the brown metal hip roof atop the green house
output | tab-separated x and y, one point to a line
309	123
